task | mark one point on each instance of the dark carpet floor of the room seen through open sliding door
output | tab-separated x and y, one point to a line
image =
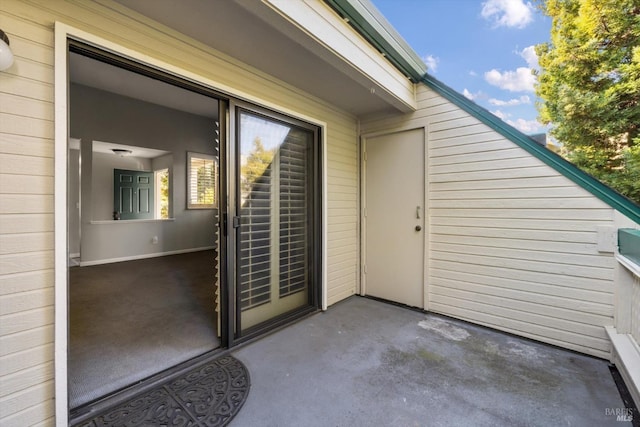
133	319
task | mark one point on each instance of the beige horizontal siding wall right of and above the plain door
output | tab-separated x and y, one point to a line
512	242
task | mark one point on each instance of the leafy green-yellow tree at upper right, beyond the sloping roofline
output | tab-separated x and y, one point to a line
589	83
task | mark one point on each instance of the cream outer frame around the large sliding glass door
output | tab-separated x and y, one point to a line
62	34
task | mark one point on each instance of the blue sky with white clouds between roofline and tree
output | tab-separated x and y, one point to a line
483	49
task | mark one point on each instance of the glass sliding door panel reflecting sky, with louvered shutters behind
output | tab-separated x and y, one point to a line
275	218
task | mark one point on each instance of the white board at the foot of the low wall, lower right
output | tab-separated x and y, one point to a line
626	357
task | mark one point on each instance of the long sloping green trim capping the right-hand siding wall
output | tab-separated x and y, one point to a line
586	181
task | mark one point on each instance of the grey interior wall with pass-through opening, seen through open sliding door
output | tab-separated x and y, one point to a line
96	115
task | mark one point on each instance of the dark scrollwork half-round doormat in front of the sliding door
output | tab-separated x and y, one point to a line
207	396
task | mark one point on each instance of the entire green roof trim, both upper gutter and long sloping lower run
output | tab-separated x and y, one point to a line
373	26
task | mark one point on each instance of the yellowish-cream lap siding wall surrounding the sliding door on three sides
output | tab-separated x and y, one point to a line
26	178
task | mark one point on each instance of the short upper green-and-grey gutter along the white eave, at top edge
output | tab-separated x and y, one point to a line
374	27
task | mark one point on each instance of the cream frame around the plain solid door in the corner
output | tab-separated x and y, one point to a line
363	206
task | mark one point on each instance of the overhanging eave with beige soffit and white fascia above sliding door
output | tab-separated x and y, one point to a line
264	37
